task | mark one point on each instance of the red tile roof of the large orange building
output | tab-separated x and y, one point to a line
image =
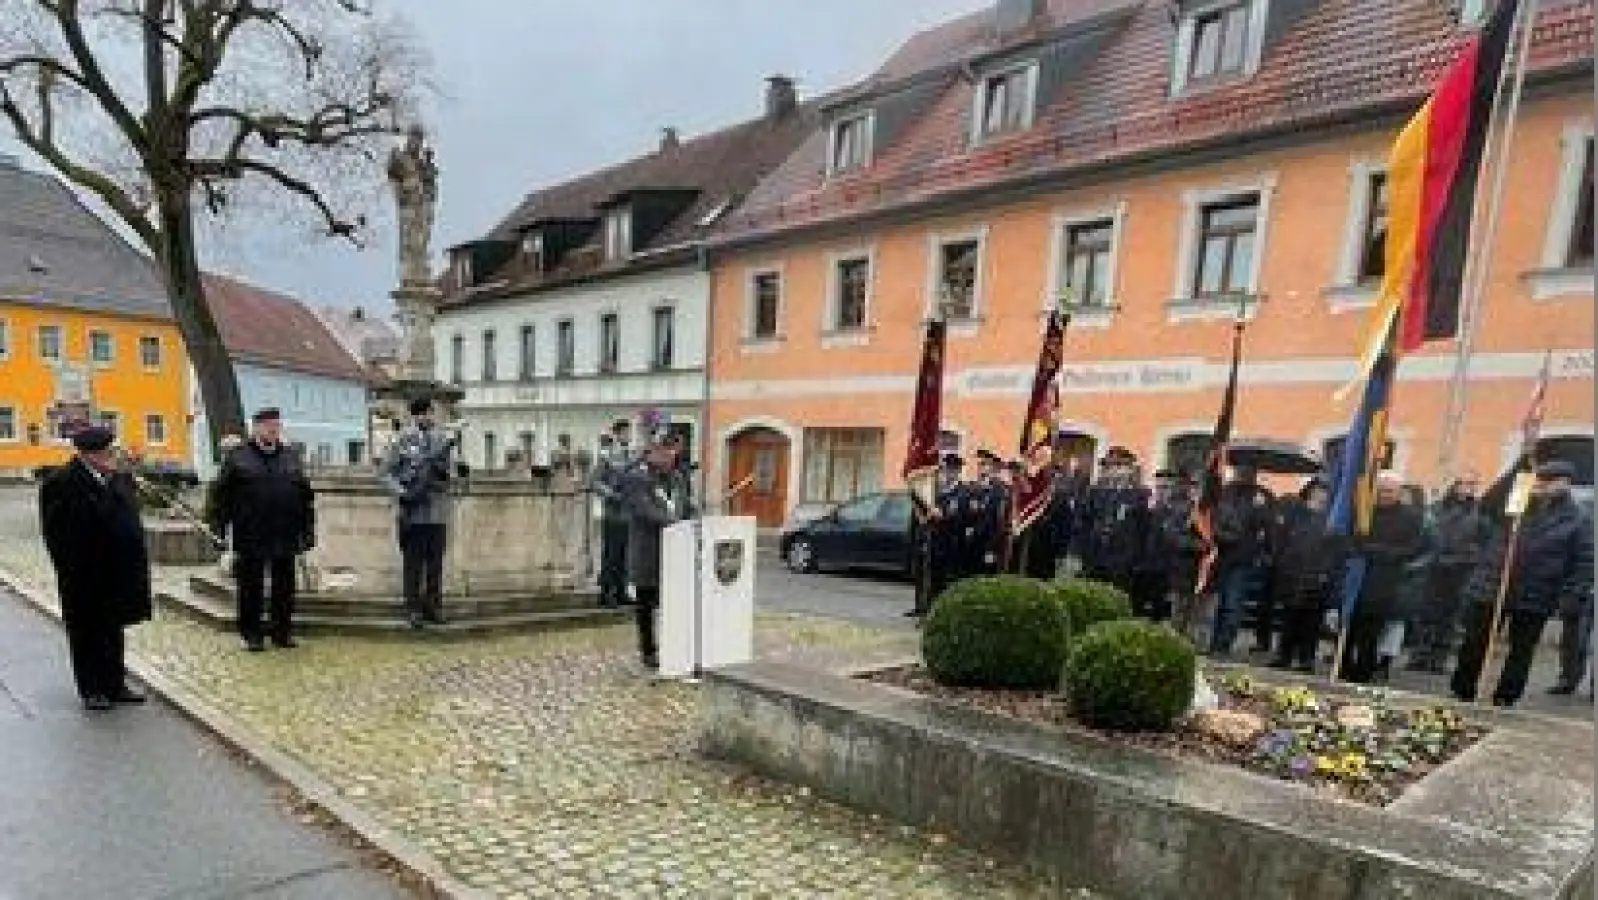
1332	58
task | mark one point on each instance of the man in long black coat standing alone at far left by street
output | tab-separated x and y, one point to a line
90	520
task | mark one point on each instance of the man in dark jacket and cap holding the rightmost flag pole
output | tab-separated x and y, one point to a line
1552	570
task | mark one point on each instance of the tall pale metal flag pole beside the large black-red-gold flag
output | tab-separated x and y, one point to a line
1481	265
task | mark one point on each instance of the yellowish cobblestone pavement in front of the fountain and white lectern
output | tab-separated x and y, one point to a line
546	767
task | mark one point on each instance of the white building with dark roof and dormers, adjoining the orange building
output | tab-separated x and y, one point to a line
587	305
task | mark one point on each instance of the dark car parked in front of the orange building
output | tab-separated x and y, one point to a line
867	533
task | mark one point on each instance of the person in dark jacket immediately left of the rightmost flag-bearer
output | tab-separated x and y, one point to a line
1458	535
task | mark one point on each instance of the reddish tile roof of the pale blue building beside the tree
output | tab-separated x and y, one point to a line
277	332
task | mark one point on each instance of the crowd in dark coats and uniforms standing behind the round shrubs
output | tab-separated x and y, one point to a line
1421	586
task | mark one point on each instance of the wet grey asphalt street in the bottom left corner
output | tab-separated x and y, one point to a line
140	805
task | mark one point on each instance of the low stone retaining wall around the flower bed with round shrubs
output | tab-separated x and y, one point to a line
1509	819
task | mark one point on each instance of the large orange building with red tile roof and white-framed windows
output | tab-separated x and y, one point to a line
1161	167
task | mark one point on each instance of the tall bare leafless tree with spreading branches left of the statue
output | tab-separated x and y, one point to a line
167	111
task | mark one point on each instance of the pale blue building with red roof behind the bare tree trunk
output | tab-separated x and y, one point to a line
285	357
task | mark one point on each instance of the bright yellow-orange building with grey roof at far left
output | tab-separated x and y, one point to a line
85	330
